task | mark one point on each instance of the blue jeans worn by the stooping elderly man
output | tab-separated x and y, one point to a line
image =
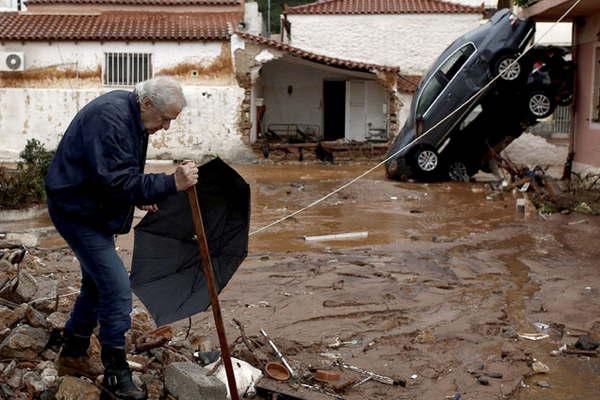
105	295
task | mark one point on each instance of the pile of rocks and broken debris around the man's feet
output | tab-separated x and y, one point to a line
167	364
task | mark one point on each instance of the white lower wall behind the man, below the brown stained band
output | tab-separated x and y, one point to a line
208	126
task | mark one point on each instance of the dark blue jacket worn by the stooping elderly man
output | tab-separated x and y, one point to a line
97	175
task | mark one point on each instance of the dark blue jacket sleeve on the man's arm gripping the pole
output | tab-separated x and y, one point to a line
113	159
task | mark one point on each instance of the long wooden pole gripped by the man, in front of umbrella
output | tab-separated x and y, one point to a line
212	290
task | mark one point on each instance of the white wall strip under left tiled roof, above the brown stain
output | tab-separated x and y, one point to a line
88	55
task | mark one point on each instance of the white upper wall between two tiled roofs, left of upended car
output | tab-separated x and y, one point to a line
411	41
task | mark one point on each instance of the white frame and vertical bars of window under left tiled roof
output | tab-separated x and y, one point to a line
145	74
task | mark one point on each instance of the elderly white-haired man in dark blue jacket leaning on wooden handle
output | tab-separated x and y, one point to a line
95	180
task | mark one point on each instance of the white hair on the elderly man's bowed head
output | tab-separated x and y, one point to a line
162	91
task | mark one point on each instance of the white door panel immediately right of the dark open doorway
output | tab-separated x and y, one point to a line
356	112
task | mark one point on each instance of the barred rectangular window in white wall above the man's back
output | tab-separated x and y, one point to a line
126	69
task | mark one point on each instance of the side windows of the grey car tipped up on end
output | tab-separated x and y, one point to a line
443	76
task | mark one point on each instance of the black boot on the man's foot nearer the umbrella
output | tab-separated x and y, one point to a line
117	383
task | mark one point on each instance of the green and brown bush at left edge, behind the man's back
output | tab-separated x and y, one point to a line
24	186
